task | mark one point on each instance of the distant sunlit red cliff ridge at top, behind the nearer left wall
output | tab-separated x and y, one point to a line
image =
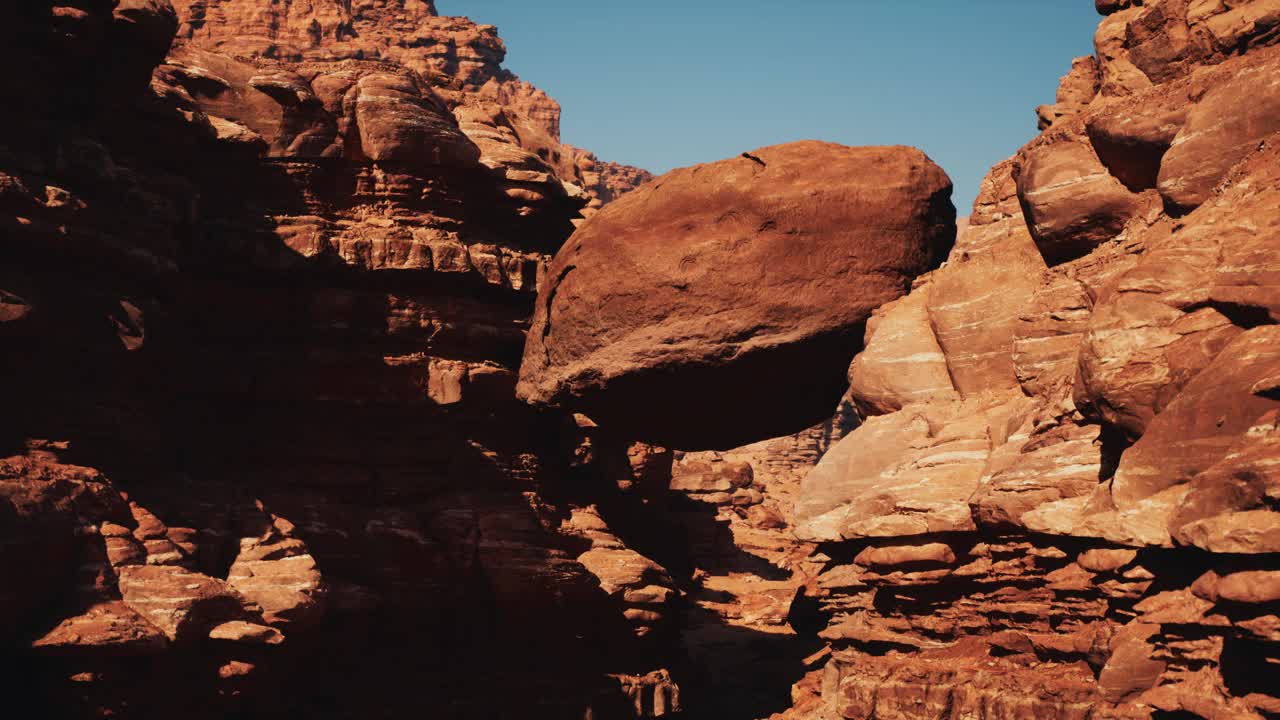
460	60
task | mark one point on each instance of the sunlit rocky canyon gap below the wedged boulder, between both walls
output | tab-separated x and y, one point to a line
743	632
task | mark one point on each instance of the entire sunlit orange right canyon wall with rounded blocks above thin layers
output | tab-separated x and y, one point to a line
1041	511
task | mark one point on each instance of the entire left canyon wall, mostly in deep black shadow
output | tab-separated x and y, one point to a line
263	295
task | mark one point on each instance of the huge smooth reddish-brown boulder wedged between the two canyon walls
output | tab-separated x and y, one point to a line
742	284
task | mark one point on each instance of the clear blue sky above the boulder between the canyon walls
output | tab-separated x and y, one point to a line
665	84
